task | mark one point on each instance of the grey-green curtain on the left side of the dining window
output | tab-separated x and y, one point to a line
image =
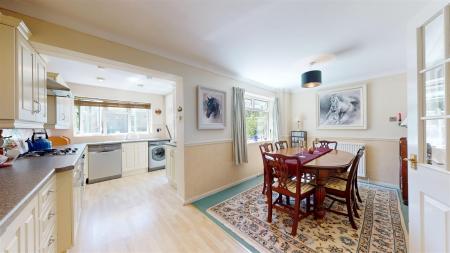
239	129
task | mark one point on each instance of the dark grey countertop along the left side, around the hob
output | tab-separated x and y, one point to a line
19	182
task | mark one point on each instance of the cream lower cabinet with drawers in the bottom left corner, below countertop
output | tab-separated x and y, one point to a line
34	228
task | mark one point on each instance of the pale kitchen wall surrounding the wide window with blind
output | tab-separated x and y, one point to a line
157	101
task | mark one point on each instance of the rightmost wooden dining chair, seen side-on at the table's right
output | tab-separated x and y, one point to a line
342	190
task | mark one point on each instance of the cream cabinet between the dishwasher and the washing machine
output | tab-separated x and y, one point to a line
134	157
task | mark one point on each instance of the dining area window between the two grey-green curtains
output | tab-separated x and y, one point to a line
257	118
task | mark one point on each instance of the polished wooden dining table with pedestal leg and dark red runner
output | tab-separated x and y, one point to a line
324	166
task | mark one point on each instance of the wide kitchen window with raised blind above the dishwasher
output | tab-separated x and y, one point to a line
106	117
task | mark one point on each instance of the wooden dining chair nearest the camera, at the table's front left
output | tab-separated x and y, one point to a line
286	185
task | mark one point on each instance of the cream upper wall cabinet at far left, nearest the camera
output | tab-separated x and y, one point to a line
23	75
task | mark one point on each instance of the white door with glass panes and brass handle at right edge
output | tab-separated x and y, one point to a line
428	130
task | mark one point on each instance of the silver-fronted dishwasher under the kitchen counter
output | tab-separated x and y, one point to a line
105	162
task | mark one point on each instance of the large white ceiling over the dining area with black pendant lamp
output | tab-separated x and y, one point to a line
270	42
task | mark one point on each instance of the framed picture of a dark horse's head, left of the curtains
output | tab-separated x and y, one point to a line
211	108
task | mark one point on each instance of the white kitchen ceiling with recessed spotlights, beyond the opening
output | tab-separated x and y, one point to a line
86	74
